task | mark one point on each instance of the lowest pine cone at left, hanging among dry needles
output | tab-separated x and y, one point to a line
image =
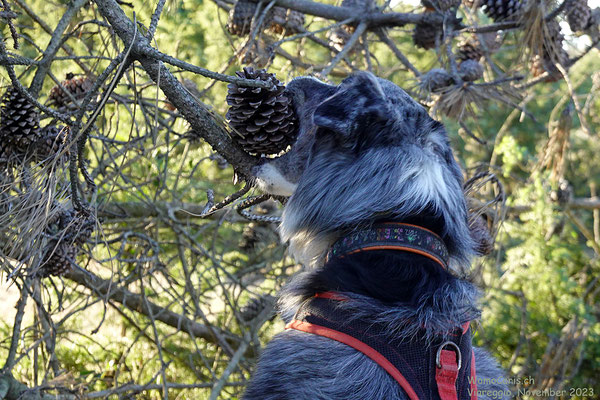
68	232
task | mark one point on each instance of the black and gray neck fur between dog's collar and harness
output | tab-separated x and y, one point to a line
392	286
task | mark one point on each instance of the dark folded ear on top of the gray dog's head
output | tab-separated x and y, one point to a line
358	102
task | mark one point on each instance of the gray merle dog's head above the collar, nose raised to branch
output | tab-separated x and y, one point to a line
366	151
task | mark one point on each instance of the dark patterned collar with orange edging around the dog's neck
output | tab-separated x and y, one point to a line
393	236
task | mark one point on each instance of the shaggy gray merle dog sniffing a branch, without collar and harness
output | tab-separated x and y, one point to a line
366	152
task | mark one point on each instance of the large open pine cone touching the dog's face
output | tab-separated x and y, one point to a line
264	120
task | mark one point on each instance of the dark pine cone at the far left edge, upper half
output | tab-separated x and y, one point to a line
19	124
